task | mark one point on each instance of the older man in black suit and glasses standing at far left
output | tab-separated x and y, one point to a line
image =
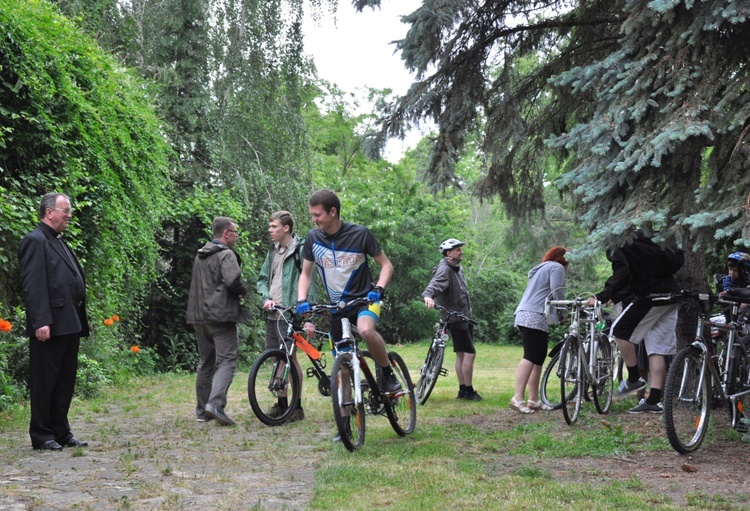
54	286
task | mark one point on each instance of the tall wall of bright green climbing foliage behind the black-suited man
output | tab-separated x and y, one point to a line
73	120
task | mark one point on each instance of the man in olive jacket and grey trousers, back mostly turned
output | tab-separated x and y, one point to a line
214	310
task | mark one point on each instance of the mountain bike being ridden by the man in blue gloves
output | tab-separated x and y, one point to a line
355	390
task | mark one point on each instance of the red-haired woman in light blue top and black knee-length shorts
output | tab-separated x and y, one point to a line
545	279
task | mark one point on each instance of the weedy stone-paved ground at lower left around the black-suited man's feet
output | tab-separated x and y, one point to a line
162	459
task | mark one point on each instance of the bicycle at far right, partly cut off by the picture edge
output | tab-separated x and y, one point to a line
709	372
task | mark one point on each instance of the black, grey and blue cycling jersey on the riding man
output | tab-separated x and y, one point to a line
342	260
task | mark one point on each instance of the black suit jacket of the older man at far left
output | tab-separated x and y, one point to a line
55	294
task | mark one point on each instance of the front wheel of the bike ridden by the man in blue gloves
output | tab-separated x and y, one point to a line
349	415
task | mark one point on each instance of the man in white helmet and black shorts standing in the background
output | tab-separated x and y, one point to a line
448	286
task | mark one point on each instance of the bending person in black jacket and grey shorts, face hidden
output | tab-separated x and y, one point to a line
643	268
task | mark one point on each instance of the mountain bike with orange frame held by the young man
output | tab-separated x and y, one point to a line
273	373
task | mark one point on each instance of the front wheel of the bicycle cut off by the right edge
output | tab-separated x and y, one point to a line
687	400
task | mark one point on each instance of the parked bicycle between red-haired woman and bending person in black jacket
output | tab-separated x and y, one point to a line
585	366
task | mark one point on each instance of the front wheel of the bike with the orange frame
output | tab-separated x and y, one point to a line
272	378
